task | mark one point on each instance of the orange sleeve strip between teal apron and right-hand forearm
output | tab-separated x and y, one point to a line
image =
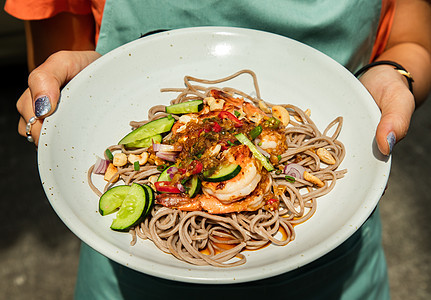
384	29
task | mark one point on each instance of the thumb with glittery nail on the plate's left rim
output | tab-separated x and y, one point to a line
46	81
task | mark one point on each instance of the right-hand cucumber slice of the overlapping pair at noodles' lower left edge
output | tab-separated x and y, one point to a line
132	210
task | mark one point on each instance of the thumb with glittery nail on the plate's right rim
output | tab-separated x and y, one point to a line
397	110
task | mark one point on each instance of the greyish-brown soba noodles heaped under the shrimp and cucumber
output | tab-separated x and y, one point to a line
200	238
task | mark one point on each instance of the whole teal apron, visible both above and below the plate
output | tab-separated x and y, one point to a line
344	30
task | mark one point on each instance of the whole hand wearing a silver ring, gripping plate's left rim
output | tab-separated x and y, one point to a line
44	84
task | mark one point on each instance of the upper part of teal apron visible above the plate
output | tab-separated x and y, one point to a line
344	30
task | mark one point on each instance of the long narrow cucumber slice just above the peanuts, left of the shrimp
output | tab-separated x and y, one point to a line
150	129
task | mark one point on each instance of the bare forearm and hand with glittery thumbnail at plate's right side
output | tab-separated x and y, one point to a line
410	46
